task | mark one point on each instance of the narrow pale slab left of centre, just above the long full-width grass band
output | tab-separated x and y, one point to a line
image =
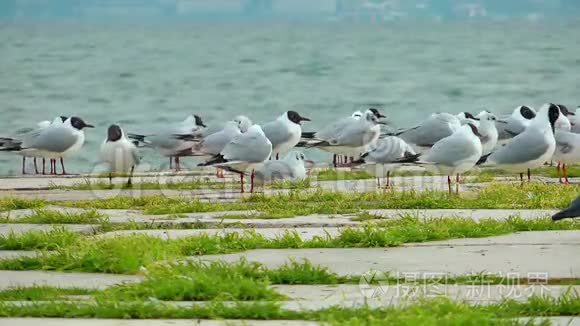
268	233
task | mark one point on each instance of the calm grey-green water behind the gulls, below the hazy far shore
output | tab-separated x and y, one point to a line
144	76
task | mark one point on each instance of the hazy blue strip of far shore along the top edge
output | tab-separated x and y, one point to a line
321	10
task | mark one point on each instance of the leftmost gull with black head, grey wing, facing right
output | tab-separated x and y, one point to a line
55	141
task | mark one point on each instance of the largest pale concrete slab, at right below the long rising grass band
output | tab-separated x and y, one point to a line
547	258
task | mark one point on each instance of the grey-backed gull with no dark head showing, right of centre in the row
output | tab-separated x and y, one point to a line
436	127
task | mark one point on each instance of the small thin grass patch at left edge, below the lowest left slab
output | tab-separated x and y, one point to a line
39	293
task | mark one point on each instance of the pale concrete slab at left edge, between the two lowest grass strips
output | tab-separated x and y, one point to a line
9	279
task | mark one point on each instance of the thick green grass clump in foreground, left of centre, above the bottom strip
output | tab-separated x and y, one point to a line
203	281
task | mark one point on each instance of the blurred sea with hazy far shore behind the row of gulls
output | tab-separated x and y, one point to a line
145	63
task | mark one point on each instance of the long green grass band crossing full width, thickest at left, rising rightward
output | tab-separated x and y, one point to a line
118	254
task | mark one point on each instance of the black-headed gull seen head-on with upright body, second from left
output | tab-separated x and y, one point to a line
119	153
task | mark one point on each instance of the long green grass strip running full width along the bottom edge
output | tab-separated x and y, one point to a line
438	311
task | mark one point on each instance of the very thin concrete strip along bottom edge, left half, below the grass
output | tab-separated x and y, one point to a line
147	322
